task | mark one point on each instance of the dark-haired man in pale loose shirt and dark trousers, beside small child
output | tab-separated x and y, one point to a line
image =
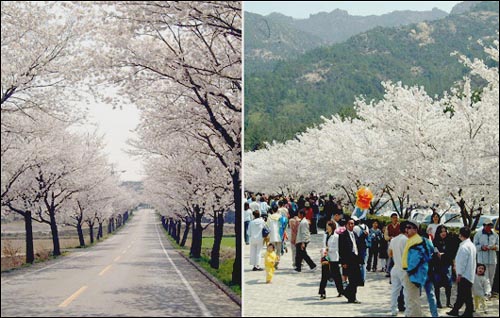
465	267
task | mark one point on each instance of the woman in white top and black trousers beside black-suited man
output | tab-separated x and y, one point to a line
330	269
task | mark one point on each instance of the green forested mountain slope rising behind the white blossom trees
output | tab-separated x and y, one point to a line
285	99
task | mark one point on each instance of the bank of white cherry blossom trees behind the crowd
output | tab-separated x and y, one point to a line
409	148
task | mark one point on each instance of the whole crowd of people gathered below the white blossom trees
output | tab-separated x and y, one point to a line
414	259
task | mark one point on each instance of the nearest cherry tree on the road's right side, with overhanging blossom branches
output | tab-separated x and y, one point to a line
180	62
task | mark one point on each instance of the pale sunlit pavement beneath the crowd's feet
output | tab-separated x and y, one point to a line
296	294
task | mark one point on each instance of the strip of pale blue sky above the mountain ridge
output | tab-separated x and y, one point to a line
302	9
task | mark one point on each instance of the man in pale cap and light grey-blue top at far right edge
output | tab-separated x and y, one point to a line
486	243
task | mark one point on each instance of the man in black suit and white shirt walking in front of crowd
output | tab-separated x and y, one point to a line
350	259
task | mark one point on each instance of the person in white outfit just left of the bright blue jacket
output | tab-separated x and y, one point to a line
396	249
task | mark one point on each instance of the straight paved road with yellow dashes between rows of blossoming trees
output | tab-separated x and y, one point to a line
134	273
